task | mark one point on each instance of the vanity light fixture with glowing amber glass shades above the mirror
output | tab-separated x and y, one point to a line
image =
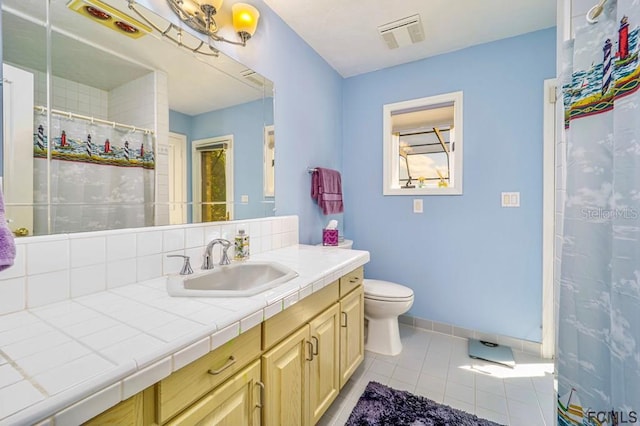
199	15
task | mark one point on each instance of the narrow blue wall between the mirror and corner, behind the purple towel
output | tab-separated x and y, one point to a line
308	111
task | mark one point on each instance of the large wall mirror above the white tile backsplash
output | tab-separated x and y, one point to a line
100	112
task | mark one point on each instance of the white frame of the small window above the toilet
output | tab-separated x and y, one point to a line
391	152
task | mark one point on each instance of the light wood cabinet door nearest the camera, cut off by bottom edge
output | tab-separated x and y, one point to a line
235	403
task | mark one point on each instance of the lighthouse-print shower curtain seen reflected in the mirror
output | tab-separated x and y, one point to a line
101	176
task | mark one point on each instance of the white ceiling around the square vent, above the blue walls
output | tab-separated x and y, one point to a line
344	32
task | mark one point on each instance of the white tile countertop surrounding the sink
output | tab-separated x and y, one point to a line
71	360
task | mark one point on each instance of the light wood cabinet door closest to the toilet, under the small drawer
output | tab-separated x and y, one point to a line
351	333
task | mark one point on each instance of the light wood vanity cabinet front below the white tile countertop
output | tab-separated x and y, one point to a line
287	370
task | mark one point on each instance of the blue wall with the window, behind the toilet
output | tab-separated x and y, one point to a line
470	262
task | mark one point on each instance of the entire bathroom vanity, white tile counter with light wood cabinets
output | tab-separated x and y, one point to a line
133	354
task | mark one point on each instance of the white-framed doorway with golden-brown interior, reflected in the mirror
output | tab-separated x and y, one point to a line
212	165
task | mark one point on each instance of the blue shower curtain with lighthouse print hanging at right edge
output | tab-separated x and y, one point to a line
598	356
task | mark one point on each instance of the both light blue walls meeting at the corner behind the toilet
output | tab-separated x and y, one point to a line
484	272
